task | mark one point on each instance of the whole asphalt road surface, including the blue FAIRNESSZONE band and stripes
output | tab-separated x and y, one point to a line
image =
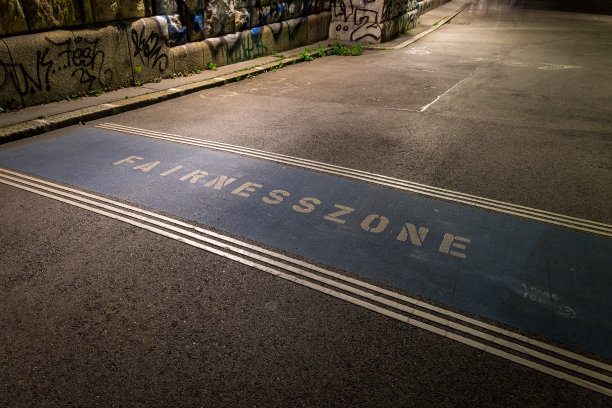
128	296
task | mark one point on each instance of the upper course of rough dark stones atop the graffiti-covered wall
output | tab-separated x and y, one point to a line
189	20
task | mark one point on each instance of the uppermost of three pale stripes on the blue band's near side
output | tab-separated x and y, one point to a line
332	274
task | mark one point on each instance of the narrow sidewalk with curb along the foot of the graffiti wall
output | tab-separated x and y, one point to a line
39	119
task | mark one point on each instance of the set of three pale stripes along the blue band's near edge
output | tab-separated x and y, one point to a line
70	197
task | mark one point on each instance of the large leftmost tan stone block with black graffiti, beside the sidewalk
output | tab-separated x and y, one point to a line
37	68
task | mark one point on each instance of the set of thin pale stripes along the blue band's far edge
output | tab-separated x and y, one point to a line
448	195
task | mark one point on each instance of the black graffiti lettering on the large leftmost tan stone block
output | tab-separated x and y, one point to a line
79	56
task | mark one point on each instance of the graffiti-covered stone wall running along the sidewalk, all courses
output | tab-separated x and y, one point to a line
51	49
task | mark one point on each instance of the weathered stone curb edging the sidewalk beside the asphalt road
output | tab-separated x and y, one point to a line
38	126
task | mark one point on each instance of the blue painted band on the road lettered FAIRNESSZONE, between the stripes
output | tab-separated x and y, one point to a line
541	278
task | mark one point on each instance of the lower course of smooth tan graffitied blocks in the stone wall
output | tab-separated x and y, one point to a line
48	66
